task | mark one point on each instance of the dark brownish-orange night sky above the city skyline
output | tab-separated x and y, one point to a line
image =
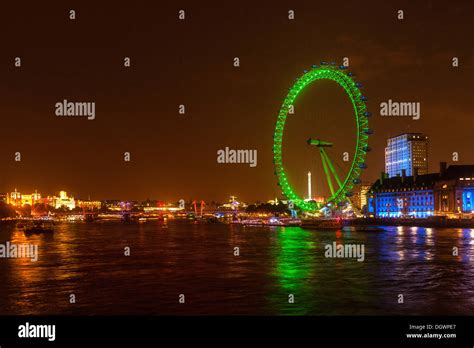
191	62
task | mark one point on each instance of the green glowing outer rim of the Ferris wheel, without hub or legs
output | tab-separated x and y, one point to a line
345	80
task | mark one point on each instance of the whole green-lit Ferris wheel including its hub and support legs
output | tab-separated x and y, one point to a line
340	184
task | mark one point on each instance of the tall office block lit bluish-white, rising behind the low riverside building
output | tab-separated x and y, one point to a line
406	152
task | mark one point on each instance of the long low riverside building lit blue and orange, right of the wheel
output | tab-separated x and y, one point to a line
448	193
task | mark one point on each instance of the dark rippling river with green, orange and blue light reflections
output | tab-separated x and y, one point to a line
198	261
